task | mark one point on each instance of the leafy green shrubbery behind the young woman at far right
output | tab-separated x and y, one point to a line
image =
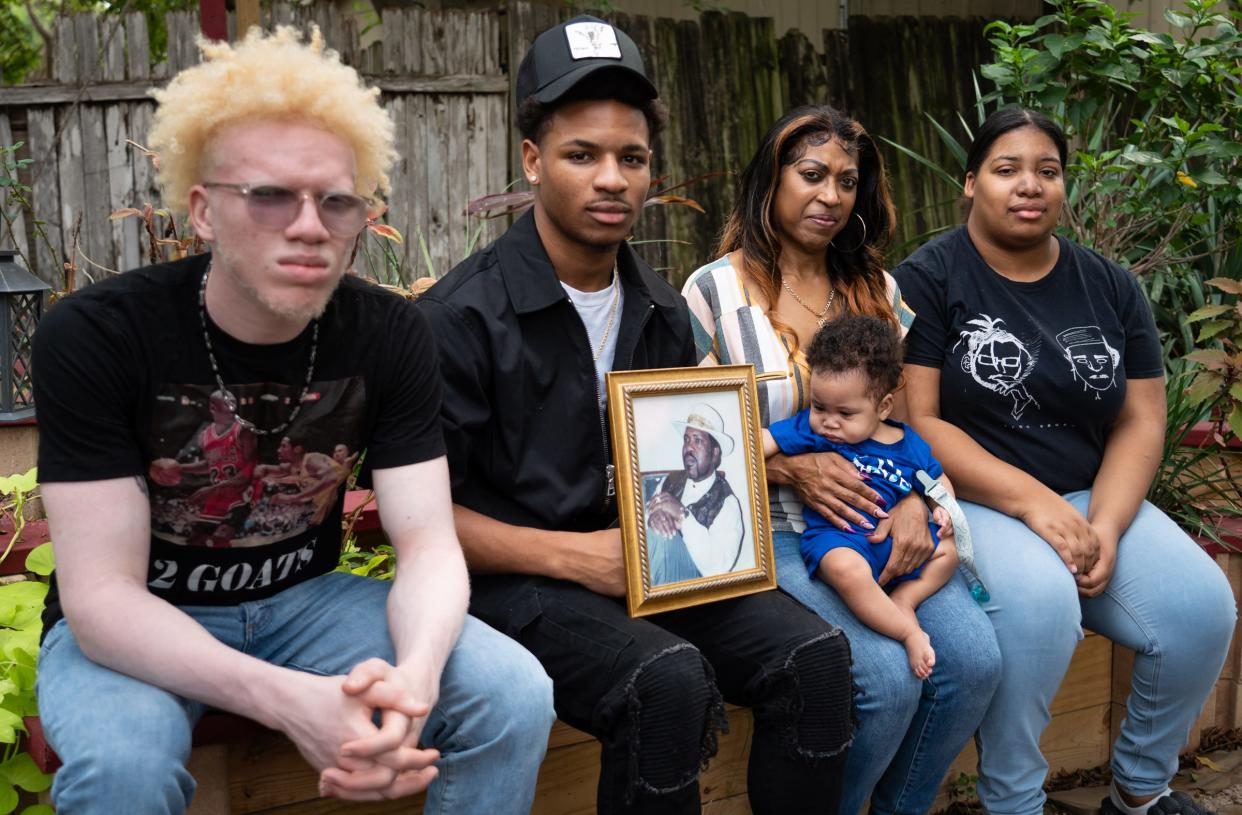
1157	178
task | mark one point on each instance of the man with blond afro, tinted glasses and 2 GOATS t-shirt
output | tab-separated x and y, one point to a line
274	148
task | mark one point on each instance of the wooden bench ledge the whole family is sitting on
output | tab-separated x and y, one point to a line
247	770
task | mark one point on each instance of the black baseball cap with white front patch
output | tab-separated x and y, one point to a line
563	57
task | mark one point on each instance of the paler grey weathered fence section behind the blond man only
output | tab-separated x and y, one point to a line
442	80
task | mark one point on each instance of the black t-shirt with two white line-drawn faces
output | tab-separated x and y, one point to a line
1034	372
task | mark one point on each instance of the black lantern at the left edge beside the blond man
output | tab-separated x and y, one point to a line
22	305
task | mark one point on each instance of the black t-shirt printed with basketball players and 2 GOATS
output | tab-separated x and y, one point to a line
124	388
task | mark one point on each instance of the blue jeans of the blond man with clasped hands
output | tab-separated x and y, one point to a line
125	744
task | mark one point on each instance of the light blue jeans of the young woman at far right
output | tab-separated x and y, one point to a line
1168	602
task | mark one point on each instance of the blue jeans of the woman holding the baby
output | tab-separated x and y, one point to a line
909	731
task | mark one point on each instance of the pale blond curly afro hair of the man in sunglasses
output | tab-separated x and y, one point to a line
268	78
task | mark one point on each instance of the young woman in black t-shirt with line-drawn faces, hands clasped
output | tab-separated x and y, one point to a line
1035	372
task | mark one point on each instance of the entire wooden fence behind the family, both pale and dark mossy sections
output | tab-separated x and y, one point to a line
448	80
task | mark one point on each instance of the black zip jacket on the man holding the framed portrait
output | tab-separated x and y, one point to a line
527	444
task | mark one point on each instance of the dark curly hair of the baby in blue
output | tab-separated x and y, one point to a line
858	342
